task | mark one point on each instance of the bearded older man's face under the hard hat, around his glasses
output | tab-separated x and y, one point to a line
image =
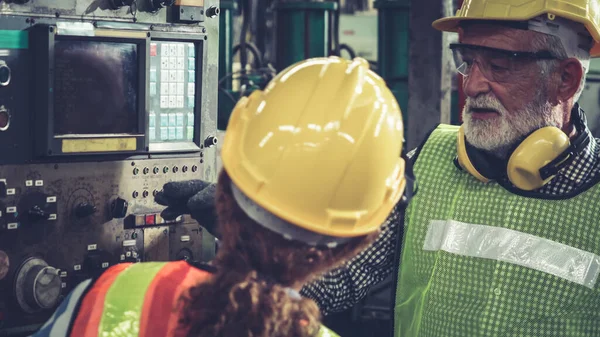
497	114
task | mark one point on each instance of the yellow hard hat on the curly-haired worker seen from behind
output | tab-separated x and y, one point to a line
320	147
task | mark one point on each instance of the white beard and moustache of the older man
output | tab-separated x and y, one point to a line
498	135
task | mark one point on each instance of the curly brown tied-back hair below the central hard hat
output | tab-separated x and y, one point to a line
247	296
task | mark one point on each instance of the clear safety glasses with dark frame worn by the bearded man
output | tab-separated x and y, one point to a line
497	65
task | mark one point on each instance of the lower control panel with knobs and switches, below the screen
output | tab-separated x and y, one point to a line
63	223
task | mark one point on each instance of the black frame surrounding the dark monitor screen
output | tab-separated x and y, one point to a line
47	143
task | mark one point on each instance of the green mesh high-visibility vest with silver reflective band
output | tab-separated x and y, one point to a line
478	260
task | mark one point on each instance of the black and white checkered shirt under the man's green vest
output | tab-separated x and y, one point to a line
343	287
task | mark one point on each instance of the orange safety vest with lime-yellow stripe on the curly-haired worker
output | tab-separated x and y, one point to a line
141	299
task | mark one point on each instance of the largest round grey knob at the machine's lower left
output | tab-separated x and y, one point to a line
37	285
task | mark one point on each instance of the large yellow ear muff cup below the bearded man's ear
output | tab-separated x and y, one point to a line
535	152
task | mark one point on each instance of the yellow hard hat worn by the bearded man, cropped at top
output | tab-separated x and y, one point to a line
586	12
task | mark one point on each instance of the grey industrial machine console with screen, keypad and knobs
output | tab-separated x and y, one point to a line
101	103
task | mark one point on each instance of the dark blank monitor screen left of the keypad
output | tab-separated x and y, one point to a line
95	87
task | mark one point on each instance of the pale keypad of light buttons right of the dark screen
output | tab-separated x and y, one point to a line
172	92
